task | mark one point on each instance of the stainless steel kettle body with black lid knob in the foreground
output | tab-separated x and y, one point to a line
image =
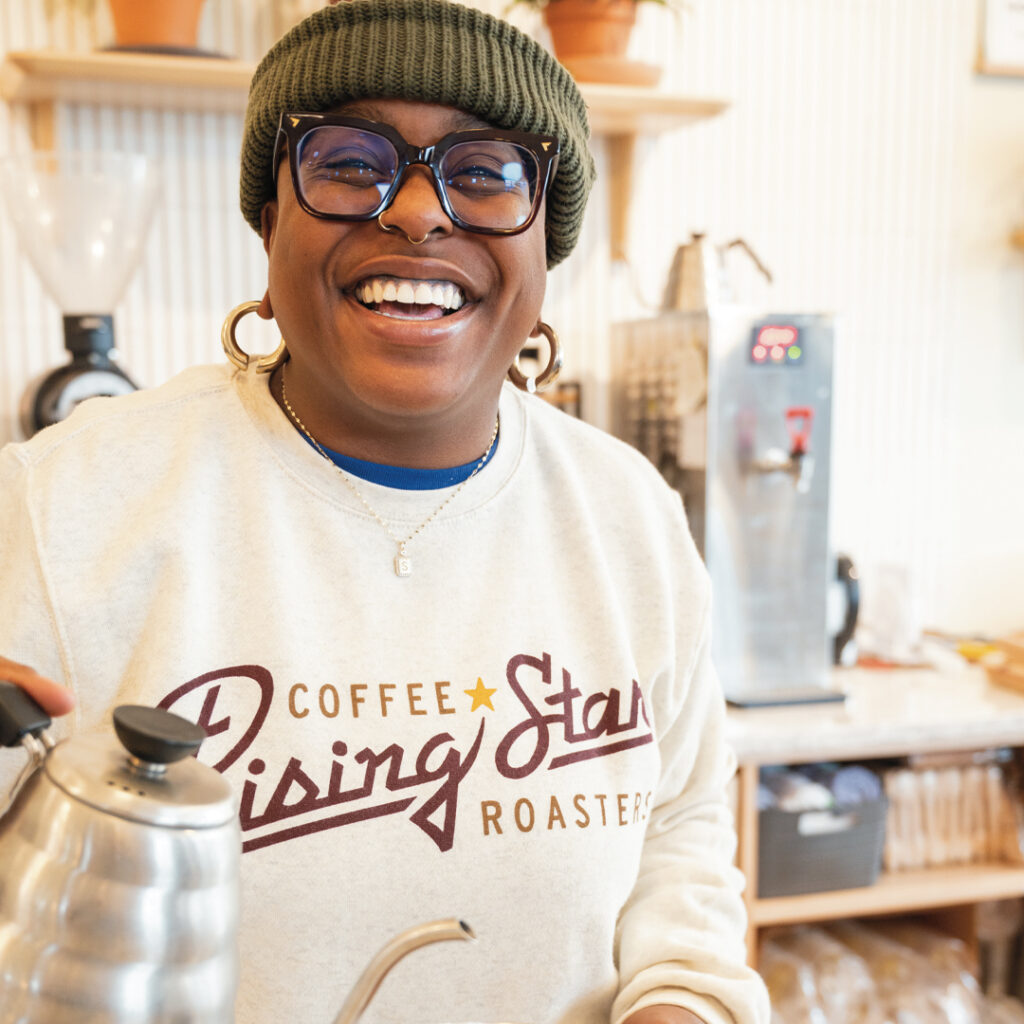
119	875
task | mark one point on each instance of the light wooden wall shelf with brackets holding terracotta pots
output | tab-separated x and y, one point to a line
46	78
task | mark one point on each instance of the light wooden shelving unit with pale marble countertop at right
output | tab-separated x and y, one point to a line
887	714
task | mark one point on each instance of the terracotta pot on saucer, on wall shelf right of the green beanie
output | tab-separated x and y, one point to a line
591	37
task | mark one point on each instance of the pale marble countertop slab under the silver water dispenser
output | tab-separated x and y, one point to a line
887	713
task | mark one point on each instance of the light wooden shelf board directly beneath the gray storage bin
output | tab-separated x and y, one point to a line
906	892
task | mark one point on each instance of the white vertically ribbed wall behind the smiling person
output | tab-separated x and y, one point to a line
875	173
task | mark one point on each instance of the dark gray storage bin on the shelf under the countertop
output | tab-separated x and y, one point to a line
820	851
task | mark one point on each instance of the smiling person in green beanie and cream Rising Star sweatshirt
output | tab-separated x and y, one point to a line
450	646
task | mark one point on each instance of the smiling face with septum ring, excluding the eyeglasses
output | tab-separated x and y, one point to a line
394	370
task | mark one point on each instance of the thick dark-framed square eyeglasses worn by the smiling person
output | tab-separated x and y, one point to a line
488	181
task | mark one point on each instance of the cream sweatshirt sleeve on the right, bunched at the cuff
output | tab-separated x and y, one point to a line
680	938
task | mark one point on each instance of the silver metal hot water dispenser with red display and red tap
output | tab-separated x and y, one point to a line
735	409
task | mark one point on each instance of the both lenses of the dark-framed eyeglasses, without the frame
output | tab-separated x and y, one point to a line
489	184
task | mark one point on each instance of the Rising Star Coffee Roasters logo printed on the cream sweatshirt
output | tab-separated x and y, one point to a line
558	726
